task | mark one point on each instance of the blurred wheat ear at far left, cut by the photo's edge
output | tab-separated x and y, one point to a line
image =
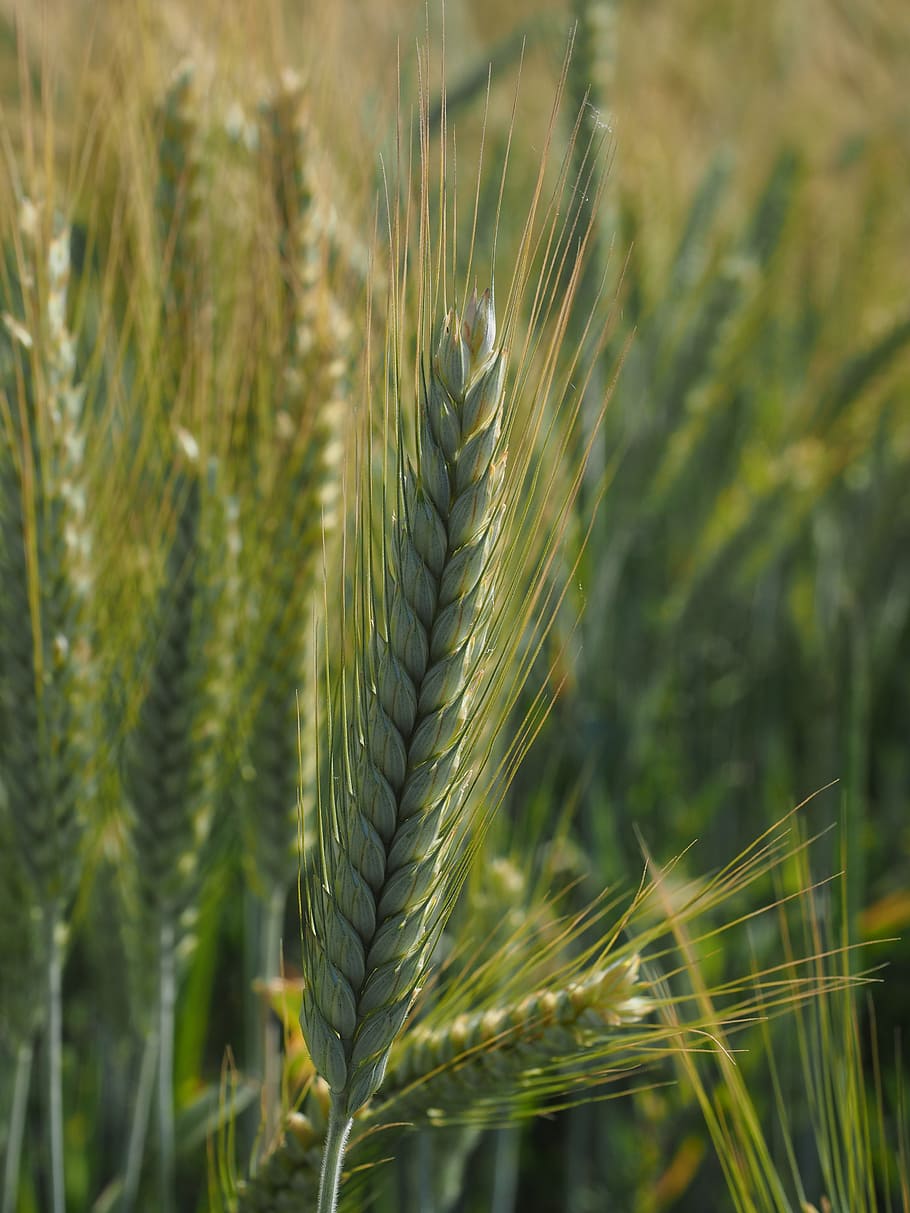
47	681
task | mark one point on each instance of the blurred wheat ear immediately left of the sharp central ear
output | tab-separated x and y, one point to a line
311	406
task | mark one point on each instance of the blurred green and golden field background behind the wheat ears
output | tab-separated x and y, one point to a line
737	633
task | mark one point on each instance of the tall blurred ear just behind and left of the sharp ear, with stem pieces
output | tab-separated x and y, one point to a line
289	529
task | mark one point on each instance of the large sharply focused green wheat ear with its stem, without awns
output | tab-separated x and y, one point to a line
374	901
